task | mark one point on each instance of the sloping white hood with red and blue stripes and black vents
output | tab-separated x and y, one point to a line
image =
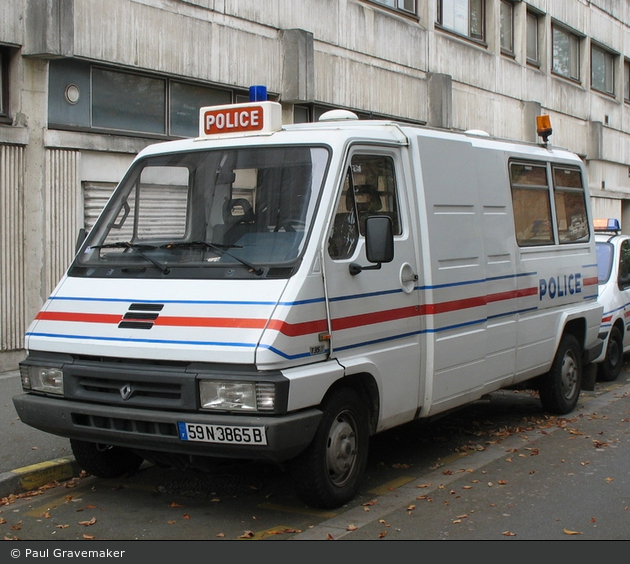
178	320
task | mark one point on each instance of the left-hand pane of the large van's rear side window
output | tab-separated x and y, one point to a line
532	206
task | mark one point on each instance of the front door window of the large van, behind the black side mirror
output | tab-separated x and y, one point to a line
369	189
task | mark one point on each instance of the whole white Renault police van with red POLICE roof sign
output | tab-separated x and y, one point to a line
283	292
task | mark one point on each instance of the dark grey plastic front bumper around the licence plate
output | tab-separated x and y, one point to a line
157	430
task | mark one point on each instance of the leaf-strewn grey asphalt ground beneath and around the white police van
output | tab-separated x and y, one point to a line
497	470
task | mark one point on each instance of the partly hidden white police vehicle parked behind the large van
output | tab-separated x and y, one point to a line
613	262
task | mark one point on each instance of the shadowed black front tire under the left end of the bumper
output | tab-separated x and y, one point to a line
105	461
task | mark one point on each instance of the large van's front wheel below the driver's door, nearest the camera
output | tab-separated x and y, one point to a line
328	473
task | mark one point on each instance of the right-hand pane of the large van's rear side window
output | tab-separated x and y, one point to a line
570	204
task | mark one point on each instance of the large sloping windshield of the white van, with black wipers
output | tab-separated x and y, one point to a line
236	212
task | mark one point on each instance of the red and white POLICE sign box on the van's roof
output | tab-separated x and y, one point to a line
254	118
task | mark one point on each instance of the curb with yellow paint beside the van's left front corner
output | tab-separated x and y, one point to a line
35	476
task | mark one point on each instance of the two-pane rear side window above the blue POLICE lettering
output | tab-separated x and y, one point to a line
549	204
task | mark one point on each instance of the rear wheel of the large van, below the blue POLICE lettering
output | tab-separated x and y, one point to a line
560	387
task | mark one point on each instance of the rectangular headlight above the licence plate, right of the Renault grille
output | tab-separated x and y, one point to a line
237	396
